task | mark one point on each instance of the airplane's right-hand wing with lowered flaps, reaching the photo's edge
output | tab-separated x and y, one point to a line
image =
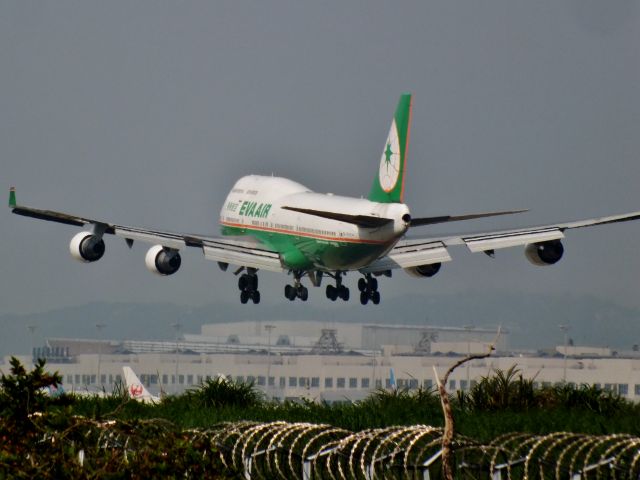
426	251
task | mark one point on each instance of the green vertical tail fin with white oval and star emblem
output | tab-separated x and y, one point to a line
388	186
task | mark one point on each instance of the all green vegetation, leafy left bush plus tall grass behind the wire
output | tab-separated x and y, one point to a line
39	431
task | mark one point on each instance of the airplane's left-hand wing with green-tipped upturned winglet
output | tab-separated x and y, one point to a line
235	250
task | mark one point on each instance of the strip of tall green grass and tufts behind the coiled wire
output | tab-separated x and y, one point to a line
500	403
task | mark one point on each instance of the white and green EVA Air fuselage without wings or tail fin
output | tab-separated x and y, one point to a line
254	207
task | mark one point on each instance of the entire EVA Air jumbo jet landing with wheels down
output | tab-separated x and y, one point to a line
276	224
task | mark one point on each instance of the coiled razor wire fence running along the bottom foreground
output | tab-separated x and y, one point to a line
282	450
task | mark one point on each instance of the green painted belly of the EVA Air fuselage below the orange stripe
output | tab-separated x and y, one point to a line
308	253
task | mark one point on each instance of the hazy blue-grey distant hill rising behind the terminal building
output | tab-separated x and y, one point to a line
532	319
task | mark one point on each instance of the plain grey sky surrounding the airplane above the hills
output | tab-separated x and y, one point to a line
145	113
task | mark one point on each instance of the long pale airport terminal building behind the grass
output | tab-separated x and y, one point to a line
336	362
